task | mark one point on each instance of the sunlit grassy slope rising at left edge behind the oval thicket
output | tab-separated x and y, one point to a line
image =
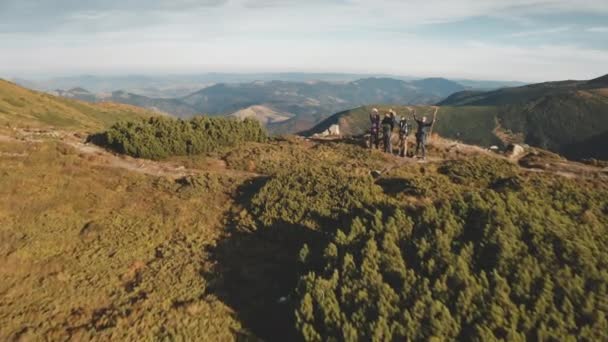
20	106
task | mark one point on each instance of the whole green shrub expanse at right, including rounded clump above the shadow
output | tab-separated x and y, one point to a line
504	256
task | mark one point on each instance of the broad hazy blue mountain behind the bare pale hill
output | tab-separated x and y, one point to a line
317	99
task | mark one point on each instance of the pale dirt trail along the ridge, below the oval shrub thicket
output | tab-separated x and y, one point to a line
100	157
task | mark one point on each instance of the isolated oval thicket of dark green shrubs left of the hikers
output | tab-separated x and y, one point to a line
162	137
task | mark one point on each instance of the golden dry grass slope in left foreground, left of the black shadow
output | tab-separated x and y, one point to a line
91	252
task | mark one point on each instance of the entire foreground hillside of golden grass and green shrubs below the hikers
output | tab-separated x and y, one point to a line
291	240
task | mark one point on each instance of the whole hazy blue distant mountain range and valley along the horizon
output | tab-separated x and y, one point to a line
306	98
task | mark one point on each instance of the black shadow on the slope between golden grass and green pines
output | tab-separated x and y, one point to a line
256	270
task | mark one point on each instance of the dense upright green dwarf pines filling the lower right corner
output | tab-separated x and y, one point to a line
485	265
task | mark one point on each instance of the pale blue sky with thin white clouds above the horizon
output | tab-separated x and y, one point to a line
524	40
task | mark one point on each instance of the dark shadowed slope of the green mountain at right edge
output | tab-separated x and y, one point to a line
569	117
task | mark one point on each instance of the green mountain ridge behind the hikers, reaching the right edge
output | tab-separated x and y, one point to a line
568	117
